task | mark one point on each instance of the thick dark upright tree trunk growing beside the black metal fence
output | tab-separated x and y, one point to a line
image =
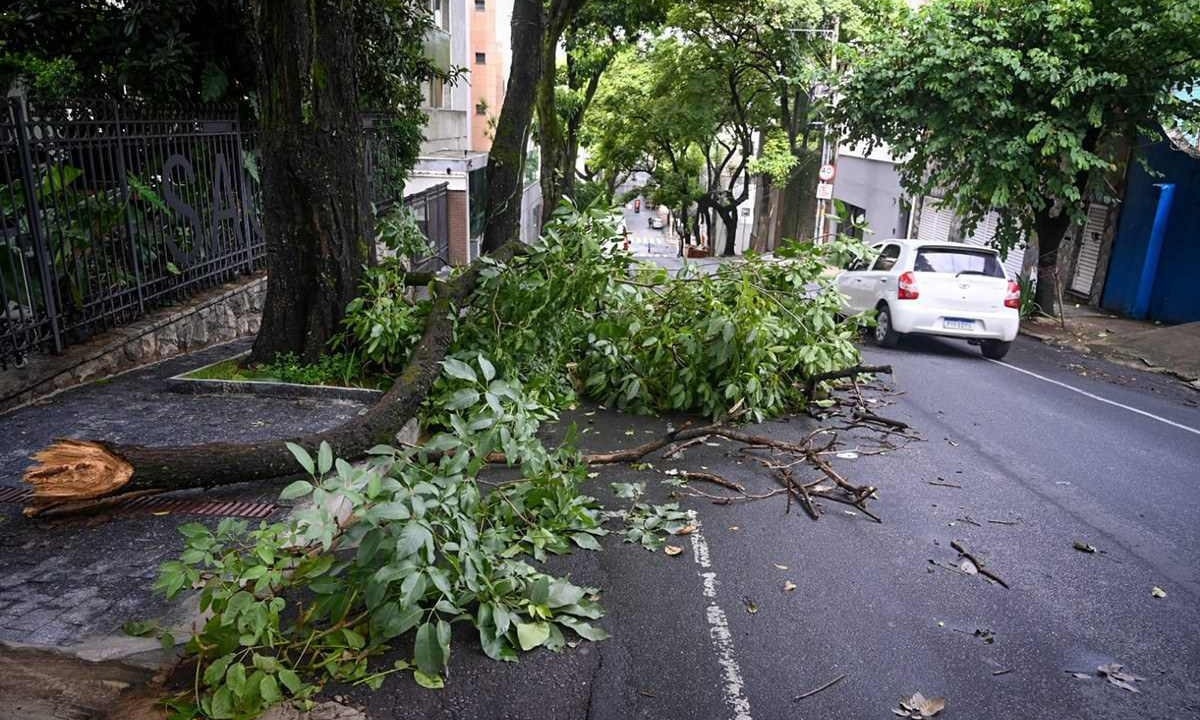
315	201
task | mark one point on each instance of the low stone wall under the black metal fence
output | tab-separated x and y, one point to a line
218	316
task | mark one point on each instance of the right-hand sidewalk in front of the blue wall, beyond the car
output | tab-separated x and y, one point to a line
1172	350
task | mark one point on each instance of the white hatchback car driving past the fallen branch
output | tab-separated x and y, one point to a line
937	289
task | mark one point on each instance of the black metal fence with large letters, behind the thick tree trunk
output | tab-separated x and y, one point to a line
107	212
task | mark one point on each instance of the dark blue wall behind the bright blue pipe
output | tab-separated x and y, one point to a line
1177	292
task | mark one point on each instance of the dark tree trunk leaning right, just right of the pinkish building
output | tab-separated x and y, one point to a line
506	164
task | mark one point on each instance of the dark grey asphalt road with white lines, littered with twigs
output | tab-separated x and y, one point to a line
1053	465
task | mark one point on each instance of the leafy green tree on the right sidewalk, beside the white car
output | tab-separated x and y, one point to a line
1017	107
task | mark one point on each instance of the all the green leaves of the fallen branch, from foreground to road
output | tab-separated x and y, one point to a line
400	549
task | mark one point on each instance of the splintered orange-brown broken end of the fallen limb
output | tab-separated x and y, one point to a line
76	471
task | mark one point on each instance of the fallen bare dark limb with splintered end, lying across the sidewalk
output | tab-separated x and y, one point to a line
73	471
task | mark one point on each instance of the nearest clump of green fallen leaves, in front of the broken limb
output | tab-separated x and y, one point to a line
405	543
